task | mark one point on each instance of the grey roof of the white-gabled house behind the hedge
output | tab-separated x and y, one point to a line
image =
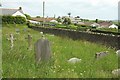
9	11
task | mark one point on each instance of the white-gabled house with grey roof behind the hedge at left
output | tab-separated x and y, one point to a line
12	12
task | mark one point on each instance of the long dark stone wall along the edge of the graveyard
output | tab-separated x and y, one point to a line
108	40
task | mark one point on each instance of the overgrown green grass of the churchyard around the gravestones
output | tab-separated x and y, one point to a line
20	62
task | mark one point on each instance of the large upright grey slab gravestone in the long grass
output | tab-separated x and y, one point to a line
42	50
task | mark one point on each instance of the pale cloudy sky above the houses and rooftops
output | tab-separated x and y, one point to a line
86	9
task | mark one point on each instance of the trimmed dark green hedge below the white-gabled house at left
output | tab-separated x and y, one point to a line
13	20
